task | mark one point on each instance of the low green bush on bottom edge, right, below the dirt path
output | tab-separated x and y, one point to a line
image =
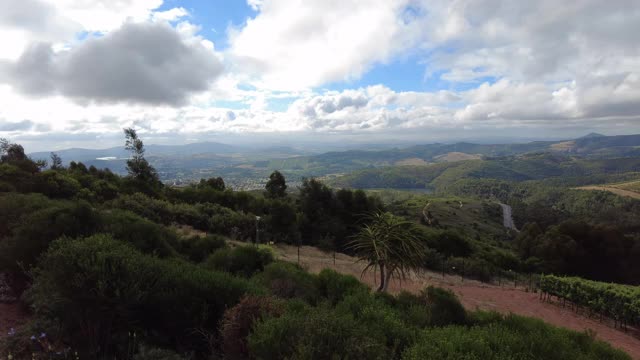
513	338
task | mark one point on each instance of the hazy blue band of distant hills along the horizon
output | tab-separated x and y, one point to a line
185	163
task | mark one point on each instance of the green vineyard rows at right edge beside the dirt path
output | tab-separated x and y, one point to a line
619	302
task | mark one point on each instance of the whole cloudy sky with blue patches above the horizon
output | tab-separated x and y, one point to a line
73	73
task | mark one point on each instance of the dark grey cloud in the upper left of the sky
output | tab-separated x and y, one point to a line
137	63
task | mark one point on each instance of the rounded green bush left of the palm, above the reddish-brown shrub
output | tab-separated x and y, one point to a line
288	281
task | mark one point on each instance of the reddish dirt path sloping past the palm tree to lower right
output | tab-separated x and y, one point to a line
473	295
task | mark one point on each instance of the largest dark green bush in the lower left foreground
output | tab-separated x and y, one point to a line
120	289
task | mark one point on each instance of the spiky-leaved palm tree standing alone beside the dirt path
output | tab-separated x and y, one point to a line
389	244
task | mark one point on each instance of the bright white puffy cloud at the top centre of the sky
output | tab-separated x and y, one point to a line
292	45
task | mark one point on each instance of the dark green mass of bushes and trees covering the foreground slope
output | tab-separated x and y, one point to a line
107	275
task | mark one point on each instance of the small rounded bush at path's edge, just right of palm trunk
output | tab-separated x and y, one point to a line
444	307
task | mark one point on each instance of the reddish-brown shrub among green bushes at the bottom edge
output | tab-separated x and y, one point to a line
238	322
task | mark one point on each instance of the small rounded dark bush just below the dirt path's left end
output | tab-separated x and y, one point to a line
241	260
